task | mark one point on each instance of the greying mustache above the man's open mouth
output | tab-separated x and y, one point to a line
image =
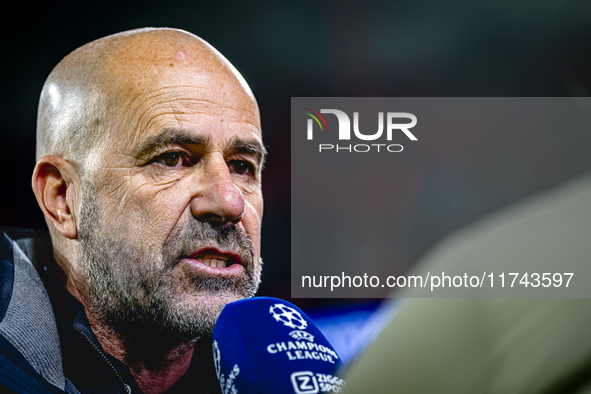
187	238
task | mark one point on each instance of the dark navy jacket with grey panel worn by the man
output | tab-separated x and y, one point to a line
46	343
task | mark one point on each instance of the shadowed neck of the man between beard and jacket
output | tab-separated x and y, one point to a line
155	365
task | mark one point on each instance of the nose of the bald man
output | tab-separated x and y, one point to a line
219	201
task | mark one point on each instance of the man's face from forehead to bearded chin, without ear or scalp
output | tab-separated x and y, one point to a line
170	221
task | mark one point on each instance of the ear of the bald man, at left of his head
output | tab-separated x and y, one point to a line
55	184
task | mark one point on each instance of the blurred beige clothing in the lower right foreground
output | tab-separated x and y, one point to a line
492	345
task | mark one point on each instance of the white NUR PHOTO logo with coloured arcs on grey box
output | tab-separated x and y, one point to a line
345	130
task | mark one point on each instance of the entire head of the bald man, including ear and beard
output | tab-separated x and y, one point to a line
149	160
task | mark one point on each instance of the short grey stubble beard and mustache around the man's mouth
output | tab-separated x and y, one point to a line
132	287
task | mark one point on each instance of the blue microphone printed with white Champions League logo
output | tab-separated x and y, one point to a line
267	345
